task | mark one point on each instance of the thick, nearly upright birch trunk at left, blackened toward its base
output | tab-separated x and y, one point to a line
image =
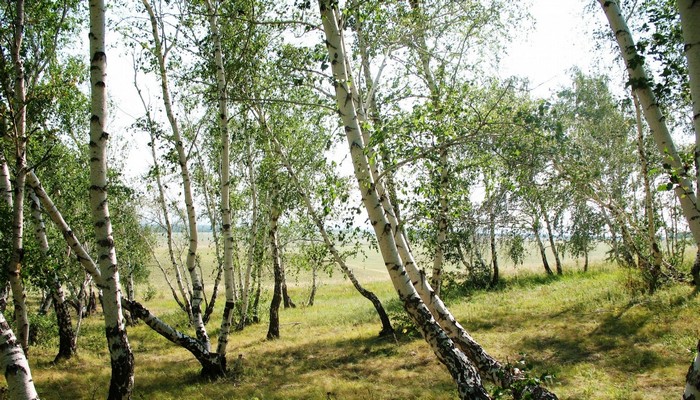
121	357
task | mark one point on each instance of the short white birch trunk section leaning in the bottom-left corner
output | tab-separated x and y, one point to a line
14	365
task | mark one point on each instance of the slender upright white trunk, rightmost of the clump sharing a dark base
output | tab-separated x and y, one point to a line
225	182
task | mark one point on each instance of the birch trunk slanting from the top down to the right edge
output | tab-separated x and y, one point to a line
641	85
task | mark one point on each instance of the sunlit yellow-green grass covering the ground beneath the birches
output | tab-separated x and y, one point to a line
599	338
